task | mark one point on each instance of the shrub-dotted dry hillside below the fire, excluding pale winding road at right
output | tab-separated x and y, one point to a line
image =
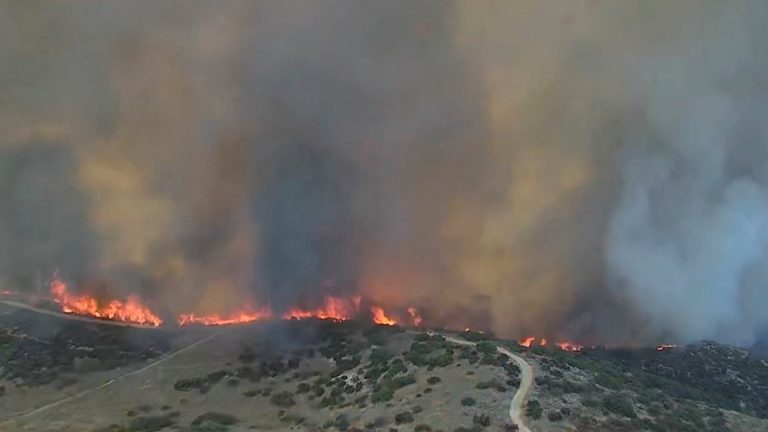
315	375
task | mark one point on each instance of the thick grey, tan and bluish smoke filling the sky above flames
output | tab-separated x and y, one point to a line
592	169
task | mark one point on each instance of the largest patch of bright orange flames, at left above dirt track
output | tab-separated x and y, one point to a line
132	310
